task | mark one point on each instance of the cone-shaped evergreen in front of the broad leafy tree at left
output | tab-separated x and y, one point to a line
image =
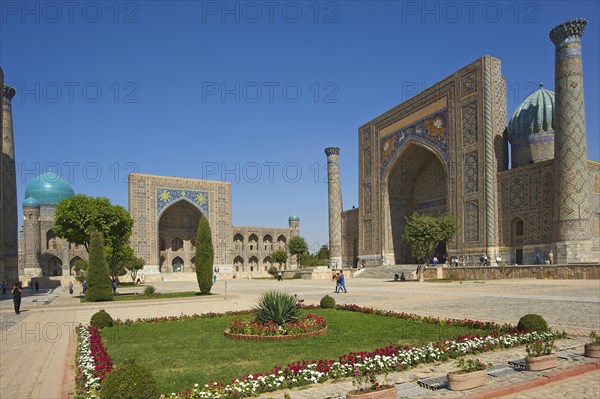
98	277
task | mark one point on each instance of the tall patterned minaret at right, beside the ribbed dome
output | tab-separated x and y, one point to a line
571	213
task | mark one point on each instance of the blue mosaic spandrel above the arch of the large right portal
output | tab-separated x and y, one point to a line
431	131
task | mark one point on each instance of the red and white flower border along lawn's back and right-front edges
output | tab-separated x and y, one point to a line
391	358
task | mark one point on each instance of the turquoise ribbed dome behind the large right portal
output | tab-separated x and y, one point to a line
534	115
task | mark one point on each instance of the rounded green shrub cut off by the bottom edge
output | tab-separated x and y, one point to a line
129	381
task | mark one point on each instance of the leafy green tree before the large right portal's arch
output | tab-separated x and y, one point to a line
424	232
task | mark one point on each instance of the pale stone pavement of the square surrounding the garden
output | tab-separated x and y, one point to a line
37	346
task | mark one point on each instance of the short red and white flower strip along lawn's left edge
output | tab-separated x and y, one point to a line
93	362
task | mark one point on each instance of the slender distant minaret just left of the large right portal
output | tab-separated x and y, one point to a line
334	190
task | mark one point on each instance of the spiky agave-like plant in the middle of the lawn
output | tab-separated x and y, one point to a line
277	307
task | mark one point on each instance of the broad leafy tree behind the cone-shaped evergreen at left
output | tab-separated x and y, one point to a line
78	216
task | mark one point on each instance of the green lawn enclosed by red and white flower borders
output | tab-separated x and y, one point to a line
180	354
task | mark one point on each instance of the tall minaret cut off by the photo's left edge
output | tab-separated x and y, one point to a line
9	188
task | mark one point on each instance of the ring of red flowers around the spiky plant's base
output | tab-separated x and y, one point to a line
307	324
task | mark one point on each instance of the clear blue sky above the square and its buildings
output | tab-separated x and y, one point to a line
252	92
